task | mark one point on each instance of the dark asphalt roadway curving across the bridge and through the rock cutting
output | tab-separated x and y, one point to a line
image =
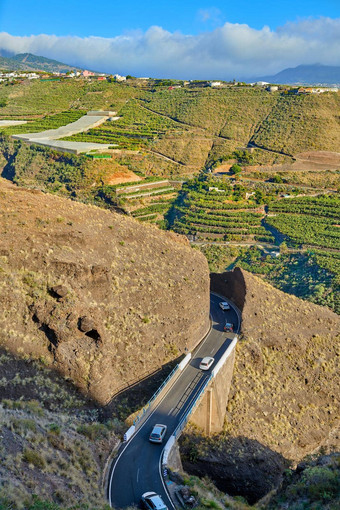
137	468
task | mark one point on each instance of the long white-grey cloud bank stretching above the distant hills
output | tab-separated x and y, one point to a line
227	52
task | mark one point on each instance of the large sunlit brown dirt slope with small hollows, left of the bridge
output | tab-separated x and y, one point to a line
96	295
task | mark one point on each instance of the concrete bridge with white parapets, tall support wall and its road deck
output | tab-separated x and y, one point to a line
188	394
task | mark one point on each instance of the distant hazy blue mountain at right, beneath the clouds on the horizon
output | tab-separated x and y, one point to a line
316	74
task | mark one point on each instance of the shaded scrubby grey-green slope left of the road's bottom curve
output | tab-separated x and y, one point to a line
52	446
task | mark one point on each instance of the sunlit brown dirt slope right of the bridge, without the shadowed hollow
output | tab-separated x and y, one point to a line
286	377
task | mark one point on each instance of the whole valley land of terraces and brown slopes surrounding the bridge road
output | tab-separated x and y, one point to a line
104	272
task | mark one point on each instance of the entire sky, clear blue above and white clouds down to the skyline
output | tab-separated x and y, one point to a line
179	38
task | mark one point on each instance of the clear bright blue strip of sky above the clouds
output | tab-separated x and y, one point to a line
107	18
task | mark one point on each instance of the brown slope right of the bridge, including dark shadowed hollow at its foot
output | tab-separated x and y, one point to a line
284	401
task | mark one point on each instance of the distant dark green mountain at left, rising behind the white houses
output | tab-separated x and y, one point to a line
30	62
